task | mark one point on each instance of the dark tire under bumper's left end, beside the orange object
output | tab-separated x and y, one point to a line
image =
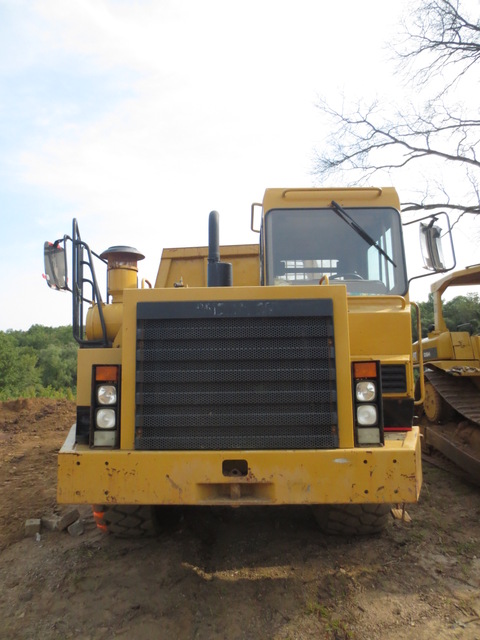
125	521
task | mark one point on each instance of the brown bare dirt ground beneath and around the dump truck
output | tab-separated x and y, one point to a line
228	574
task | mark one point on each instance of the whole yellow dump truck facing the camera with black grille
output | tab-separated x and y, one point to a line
278	373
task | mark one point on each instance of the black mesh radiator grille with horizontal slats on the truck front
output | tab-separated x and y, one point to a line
235	375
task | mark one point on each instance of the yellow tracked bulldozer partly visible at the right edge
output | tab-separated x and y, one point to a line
451	381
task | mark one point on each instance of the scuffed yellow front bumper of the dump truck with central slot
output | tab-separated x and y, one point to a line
387	474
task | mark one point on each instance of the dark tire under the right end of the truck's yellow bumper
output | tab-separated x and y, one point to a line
352	519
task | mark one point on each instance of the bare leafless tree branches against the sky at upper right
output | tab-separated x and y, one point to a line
443	41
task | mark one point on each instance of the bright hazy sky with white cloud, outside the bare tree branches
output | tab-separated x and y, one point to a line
139	117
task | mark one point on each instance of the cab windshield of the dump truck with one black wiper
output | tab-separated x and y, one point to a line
361	248
